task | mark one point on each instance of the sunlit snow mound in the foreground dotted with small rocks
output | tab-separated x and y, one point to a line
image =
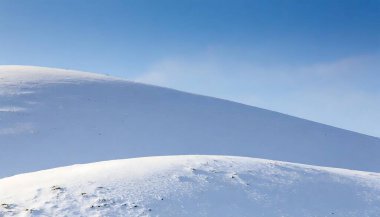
192	186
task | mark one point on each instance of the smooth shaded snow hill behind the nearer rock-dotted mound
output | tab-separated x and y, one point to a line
53	117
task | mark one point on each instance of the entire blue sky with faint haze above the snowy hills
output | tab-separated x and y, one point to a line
315	59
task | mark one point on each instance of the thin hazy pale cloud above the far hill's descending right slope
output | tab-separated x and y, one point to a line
342	93
